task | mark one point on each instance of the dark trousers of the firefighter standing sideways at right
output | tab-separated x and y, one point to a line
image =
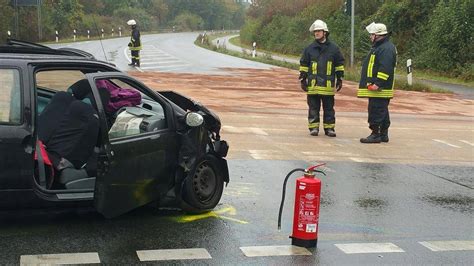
379	117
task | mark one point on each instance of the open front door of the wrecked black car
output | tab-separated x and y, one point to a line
134	167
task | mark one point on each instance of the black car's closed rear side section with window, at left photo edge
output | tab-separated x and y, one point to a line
16	141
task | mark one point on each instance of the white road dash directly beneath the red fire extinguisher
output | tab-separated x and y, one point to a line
261	251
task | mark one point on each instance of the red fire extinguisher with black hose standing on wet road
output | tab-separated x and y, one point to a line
306	211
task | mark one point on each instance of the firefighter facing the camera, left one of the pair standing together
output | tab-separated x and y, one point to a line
321	72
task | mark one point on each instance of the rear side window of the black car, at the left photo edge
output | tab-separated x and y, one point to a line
10	96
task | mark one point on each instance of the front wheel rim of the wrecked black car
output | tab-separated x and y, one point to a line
204	182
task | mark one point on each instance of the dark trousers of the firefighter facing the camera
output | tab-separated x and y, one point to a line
314	104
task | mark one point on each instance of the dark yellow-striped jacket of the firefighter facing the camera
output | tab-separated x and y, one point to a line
323	62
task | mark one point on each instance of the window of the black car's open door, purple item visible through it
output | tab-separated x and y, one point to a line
129	111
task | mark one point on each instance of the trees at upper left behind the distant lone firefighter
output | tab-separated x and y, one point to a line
151	15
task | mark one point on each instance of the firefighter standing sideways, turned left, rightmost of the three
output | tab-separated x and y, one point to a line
377	82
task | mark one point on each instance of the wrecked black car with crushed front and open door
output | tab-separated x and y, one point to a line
75	131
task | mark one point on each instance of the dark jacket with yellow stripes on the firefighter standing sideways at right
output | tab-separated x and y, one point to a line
379	68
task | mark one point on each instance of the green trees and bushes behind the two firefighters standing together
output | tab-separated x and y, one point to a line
436	34
